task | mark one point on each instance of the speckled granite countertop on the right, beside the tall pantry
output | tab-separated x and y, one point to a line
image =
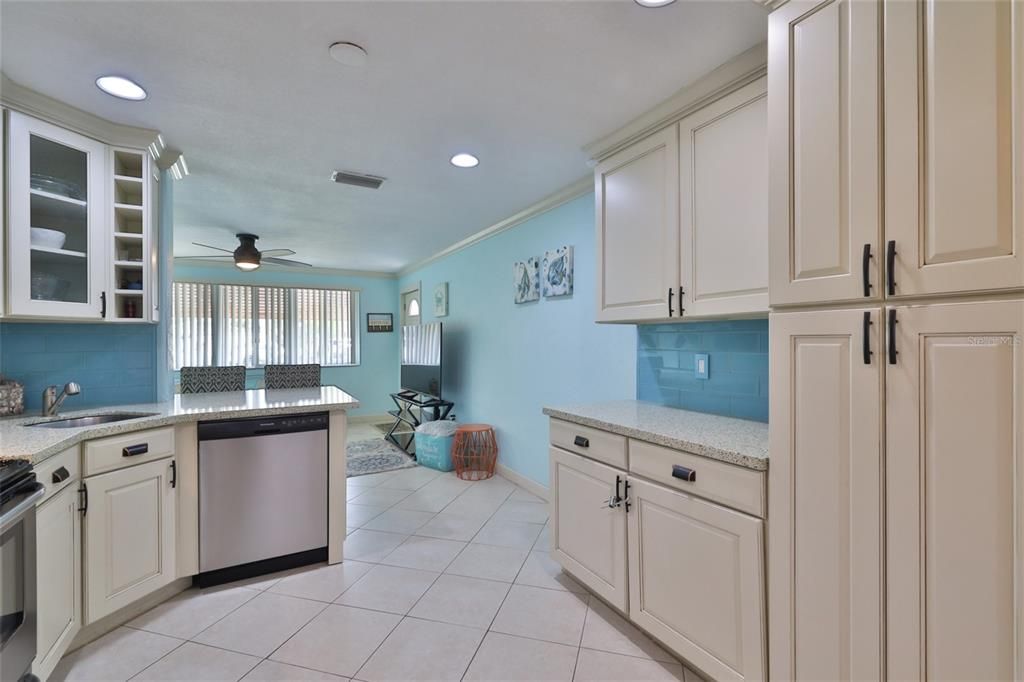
738	442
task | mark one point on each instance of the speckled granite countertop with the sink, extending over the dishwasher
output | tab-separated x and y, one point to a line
19	442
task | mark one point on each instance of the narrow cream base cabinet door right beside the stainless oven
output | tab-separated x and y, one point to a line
59	552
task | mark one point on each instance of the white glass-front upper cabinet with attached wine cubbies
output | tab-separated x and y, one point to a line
80	242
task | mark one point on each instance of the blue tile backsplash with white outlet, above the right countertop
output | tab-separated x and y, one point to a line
738	386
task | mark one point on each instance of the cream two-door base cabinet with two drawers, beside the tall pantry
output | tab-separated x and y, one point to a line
688	571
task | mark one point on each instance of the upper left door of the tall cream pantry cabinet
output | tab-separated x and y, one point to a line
825	154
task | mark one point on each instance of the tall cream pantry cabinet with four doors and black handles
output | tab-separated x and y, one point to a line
897	485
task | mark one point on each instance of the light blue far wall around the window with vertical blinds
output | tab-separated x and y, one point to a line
377	374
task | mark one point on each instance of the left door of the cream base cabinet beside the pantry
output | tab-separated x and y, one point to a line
588	537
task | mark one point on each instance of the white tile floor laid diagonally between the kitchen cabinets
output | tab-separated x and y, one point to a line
444	580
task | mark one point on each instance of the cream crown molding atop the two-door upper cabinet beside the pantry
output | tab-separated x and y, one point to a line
735	74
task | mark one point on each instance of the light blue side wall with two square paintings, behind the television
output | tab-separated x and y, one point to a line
505	362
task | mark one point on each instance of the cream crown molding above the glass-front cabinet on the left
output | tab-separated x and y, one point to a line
19	98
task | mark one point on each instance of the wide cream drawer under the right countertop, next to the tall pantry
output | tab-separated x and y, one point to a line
730	485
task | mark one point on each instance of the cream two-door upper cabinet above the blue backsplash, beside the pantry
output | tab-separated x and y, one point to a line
682	217
